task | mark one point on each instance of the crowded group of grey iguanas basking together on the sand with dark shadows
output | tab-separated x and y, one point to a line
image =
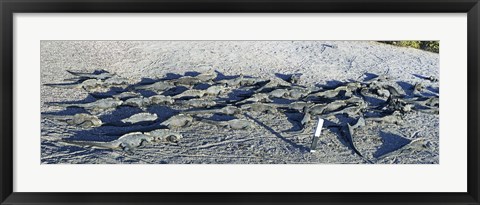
235	96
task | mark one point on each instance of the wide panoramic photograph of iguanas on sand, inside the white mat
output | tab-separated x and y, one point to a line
239	102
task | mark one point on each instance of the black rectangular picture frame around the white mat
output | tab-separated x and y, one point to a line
9	7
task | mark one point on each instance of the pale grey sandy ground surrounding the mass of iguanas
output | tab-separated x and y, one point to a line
322	63
